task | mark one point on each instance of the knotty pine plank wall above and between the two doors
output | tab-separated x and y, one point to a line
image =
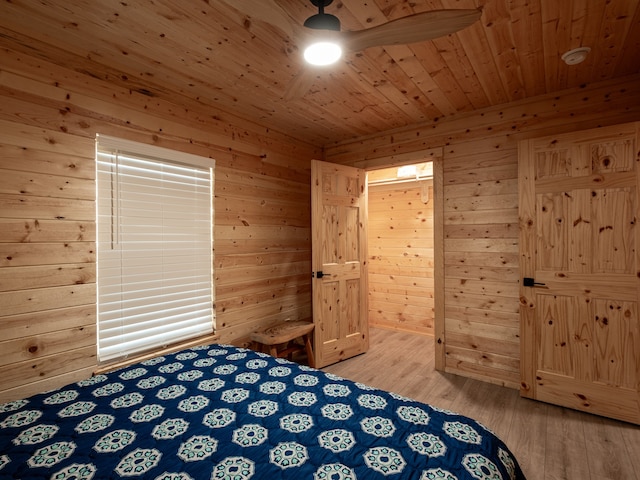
480	323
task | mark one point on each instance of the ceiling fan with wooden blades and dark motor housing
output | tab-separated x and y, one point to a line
418	27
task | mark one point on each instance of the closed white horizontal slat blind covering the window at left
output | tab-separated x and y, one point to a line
155	251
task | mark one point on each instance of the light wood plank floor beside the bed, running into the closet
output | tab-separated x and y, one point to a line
550	443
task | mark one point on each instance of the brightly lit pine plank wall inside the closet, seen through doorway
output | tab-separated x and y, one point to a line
401	257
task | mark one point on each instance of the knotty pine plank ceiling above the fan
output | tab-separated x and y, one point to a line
241	56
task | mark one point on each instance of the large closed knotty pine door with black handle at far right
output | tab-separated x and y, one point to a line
579	242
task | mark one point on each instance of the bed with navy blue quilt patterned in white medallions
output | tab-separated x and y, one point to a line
221	412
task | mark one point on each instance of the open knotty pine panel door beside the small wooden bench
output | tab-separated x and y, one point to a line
340	292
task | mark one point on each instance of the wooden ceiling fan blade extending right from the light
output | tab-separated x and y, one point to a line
411	29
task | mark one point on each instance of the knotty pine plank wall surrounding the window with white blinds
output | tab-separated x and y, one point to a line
48	120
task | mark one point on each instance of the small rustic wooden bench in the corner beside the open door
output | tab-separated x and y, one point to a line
281	339
